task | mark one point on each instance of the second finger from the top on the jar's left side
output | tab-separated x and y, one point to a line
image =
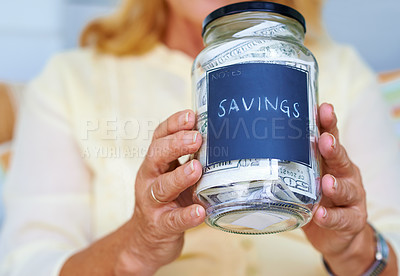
167	149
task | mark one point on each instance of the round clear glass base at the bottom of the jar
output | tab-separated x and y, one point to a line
255	218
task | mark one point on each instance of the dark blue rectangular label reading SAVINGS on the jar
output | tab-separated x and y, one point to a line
258	110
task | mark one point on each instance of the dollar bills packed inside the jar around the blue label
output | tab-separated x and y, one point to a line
298	178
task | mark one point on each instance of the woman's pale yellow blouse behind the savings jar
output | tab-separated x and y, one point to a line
103	110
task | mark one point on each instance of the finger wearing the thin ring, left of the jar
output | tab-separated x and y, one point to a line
169	186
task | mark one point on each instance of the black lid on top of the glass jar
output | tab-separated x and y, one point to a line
259	6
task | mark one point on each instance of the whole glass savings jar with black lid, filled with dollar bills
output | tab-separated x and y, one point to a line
255	88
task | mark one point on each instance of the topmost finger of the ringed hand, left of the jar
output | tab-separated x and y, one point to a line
182	120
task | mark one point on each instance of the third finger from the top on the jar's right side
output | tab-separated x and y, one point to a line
341	192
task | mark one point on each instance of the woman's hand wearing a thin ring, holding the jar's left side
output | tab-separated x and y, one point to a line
164	208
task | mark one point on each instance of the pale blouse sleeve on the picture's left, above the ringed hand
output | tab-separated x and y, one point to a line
47	192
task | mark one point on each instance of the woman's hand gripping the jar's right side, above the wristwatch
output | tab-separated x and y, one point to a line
339	228
